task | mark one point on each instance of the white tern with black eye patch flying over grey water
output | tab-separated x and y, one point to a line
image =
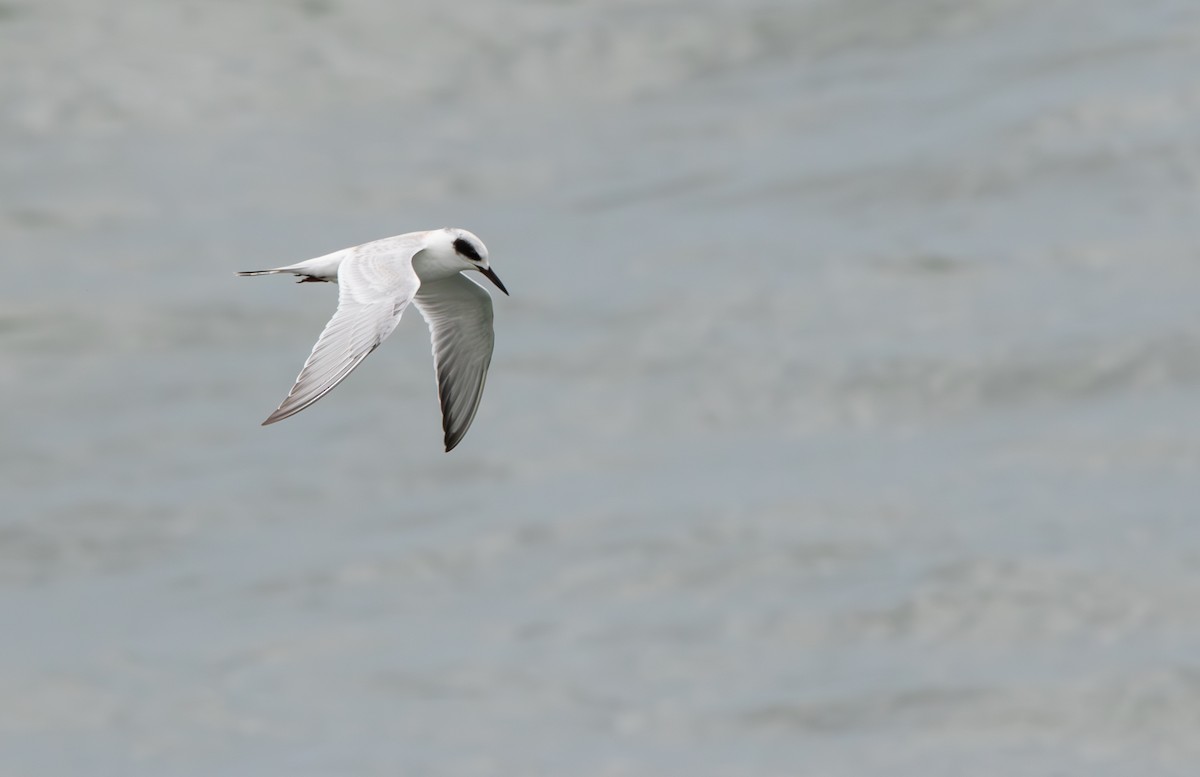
377	281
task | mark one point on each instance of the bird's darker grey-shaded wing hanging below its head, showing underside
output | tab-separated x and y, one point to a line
460	316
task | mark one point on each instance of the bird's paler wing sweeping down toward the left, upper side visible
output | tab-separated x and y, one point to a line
375	287
